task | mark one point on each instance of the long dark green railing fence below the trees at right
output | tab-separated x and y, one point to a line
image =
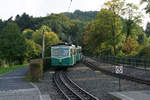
143	62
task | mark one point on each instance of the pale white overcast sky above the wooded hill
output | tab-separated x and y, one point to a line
38	8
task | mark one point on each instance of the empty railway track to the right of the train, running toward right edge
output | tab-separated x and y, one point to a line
122	76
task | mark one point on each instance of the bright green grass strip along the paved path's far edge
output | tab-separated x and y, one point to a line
11	68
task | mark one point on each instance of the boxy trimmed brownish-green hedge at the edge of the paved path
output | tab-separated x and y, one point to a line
36	70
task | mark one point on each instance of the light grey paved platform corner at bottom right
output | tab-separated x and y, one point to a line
130	95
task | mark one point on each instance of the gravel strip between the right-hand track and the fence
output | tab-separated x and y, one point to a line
140	73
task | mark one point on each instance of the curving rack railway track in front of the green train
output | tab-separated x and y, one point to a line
69	89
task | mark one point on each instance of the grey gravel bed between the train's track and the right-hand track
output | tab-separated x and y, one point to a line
99	84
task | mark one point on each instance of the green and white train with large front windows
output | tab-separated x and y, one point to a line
65	55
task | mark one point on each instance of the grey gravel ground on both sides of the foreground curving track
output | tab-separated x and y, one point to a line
95	83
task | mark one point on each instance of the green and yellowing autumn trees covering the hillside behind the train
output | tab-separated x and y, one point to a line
114	30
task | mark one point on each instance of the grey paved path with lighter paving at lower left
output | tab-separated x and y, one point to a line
13	86
